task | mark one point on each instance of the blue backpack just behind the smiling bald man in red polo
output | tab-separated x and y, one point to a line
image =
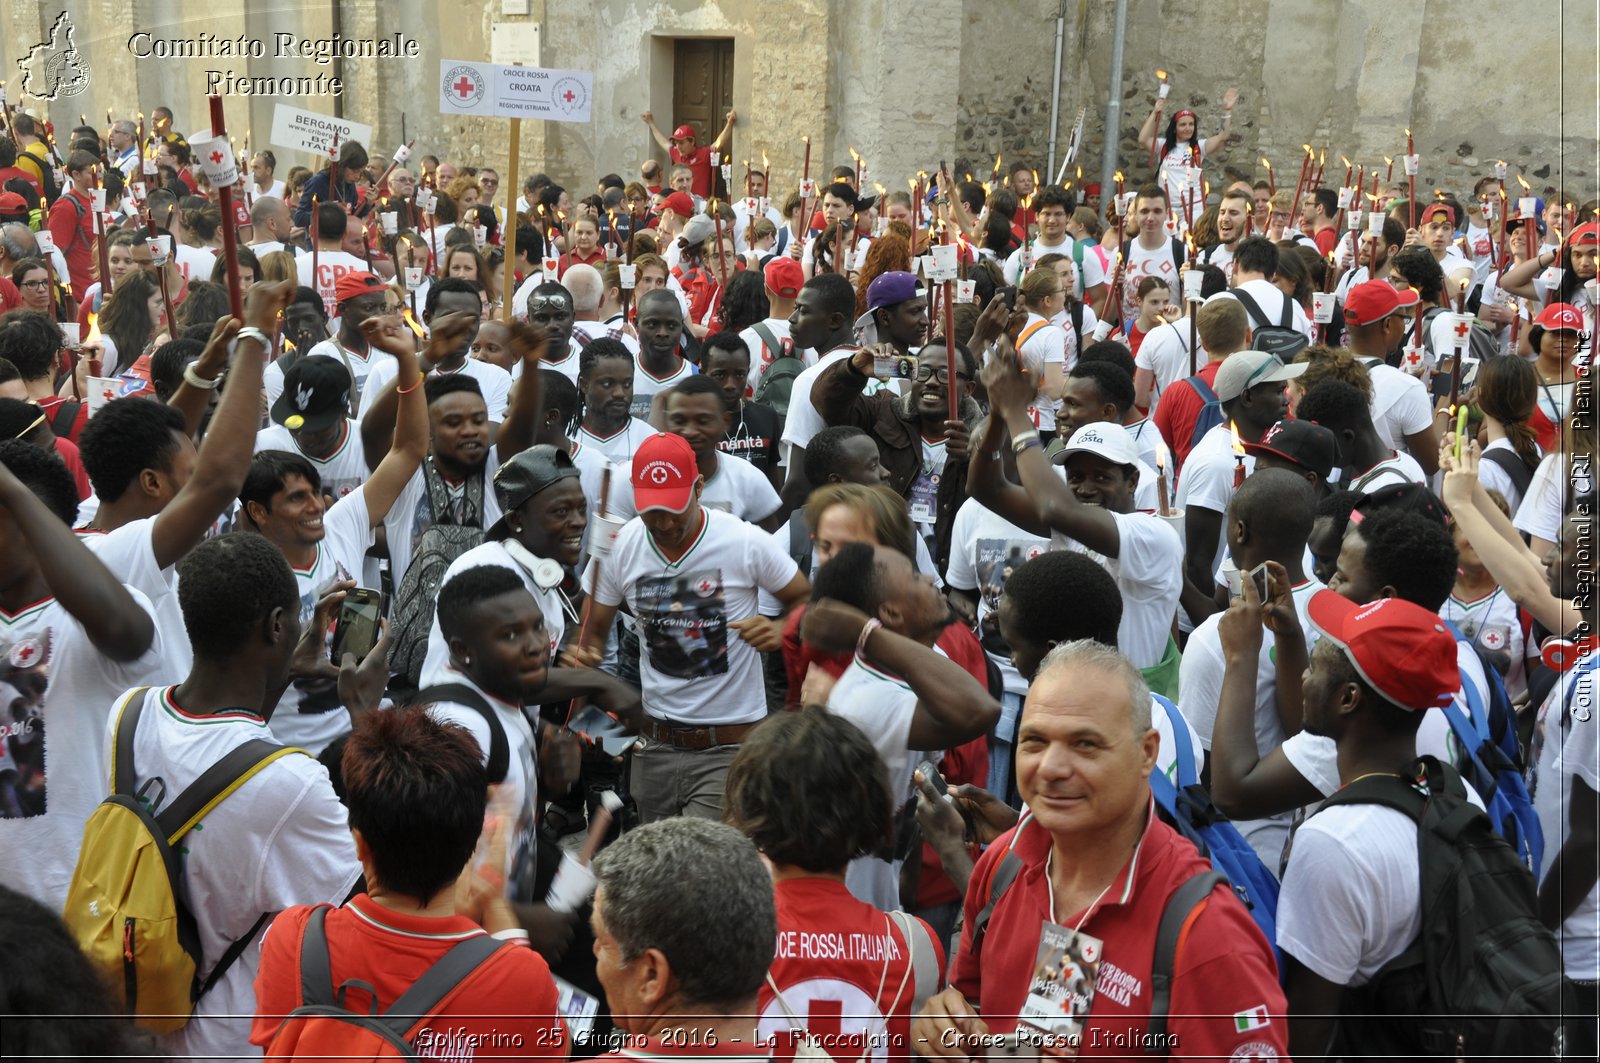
1191	811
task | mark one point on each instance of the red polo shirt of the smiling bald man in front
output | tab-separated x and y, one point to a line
1223	973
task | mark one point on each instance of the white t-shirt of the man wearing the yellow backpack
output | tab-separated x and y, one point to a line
281	840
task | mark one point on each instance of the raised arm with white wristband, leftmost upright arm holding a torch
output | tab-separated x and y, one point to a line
225	454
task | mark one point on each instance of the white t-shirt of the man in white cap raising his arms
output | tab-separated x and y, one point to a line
1150	574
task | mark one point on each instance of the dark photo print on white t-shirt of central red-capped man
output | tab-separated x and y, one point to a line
686	624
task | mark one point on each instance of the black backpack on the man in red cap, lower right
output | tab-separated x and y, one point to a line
1484	977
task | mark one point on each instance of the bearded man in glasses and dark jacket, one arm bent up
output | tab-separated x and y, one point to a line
924	451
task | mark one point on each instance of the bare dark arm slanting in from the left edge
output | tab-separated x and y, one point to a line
116	624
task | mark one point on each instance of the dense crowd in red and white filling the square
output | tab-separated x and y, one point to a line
697	619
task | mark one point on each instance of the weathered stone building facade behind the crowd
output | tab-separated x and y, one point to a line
905	84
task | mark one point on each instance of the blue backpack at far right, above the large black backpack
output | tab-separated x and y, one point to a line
1489	742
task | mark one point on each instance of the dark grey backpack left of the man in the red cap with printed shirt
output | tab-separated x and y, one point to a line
418	596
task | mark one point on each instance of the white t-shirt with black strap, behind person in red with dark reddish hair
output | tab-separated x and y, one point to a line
518	795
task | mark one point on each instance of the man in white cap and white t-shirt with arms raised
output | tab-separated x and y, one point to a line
1094	511
